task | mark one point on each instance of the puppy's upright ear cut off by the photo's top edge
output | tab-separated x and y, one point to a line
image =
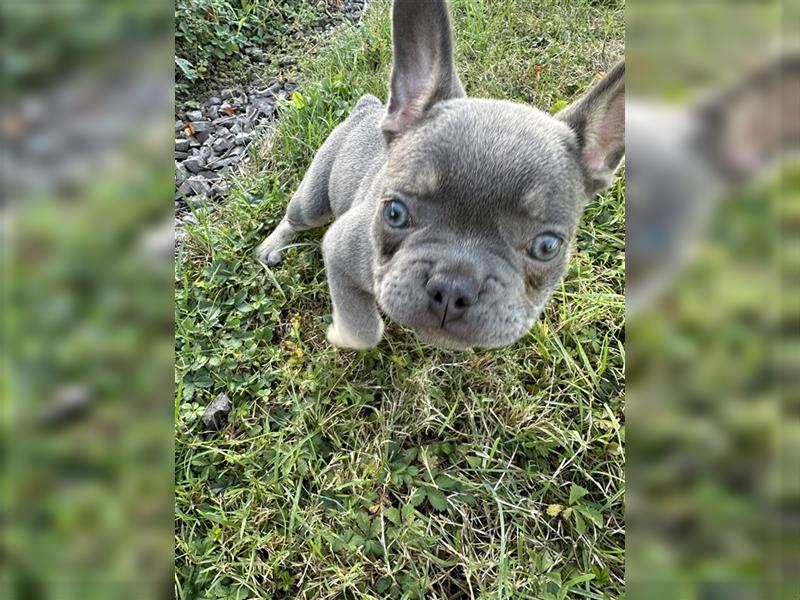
423	72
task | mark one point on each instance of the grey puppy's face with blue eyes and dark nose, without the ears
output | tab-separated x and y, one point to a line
479	209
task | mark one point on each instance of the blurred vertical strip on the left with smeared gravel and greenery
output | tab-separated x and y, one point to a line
87	287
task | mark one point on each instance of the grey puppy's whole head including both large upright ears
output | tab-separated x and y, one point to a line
480	198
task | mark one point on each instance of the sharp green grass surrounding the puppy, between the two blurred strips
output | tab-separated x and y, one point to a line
405	471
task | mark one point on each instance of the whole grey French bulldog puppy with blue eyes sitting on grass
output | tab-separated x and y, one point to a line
453	215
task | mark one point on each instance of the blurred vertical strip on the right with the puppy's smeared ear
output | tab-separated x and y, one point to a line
712	125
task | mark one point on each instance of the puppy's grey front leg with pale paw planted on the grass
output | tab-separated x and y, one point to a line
356	322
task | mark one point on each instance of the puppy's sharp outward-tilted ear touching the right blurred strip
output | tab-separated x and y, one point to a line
598	120
